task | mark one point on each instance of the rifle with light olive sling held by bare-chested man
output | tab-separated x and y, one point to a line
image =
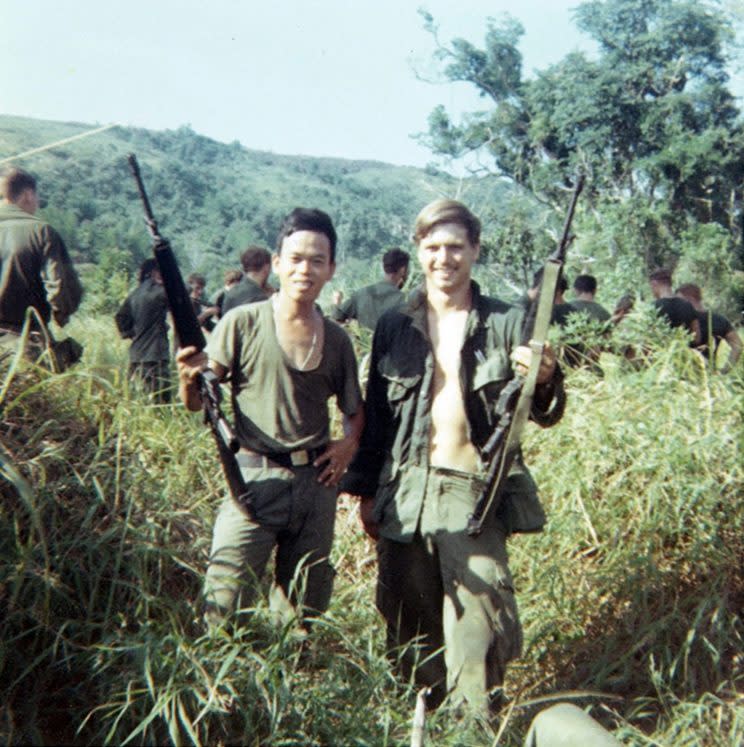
515	401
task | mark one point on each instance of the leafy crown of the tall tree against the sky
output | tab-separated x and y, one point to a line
651	115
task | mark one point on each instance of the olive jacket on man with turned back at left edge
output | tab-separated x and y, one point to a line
35	270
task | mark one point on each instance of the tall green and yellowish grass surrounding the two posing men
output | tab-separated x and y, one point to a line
631	598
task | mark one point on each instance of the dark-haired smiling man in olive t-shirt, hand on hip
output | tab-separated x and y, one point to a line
284	361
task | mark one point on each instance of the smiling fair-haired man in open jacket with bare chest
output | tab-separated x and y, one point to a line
438	365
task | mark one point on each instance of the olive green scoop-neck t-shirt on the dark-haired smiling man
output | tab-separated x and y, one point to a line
277	407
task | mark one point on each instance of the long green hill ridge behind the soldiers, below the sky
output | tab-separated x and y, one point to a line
212	199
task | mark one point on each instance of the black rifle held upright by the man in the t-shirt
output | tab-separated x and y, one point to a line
189	333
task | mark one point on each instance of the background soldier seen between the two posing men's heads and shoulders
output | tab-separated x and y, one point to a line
367	304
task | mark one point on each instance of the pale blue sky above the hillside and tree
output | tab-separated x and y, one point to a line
316	77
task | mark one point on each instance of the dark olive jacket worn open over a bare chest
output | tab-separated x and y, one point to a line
392	460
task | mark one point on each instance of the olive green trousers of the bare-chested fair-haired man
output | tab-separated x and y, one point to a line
448	598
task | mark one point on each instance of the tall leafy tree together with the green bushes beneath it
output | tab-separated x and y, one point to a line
649	119
